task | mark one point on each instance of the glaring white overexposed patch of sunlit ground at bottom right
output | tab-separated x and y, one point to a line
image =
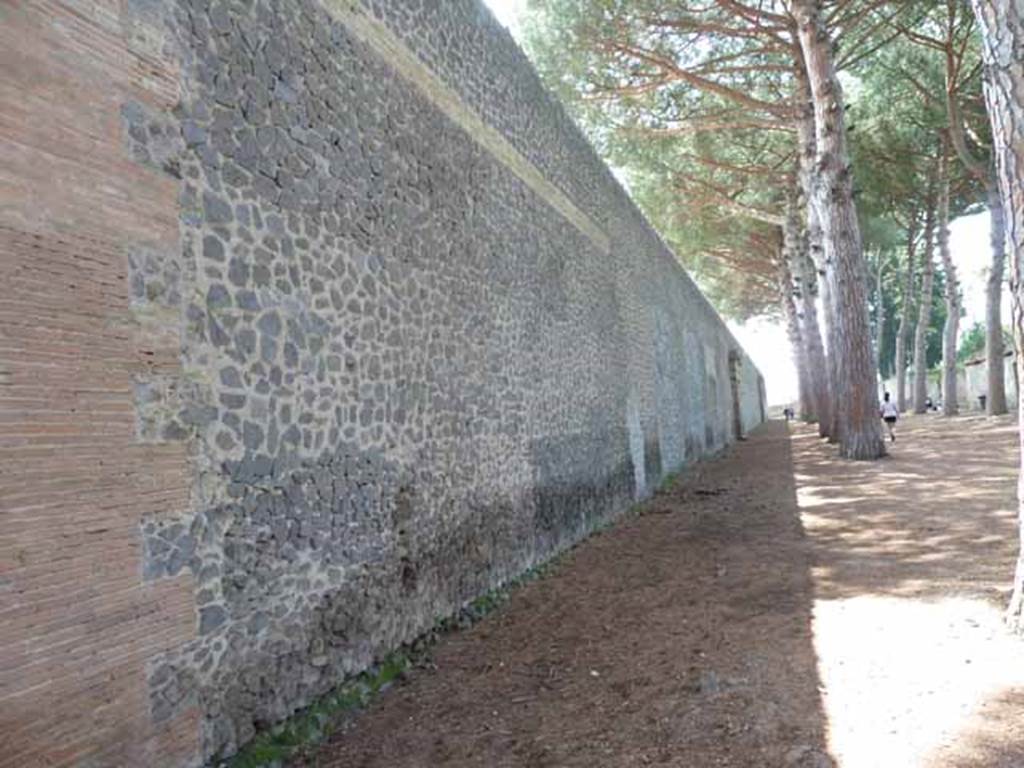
902	676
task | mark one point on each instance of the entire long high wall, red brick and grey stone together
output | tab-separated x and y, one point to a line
319	320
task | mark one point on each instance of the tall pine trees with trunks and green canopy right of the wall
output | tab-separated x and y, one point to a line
805	158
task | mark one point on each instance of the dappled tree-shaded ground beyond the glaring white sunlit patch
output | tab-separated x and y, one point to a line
936	518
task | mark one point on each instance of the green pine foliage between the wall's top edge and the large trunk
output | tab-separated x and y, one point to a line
698	164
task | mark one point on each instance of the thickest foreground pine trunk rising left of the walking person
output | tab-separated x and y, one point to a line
856	395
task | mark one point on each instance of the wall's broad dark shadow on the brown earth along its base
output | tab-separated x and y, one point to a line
682	637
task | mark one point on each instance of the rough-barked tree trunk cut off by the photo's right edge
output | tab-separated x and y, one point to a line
1002	24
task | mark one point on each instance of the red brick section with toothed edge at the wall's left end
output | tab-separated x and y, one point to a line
78	626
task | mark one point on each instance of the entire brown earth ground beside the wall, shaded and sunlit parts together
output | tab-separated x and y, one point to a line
776	608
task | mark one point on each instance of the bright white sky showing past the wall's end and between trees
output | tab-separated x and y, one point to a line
766	343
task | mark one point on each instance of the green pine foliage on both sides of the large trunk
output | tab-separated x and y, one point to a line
700	162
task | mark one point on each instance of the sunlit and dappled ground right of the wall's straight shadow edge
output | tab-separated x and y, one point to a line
913	559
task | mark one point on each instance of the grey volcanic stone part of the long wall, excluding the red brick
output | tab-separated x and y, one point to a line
413	376
